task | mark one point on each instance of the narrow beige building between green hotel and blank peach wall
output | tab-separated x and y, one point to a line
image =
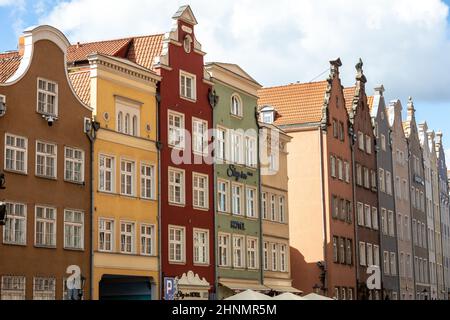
274	211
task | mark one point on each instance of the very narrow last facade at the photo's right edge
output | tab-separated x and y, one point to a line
445	214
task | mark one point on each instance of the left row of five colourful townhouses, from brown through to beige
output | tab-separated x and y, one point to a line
115	184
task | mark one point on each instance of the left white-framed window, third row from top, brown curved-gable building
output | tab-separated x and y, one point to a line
14	232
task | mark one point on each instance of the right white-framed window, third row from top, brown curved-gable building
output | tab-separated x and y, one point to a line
73	229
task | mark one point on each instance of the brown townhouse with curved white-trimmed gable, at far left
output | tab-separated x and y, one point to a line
47	157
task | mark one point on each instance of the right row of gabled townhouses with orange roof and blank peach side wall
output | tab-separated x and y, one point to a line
370	190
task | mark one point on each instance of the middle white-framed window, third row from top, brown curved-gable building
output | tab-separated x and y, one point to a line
45	234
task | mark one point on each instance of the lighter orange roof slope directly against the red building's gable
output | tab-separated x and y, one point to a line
143	50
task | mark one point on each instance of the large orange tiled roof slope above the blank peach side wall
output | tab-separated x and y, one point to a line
296	103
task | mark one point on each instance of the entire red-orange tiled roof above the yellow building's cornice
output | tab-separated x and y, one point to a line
141	50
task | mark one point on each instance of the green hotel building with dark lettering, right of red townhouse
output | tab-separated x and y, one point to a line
237	178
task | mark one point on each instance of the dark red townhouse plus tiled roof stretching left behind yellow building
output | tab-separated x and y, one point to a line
186	185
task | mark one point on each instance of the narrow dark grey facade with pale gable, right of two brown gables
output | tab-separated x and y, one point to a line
386	196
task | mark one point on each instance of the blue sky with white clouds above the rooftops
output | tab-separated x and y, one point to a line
405	44
